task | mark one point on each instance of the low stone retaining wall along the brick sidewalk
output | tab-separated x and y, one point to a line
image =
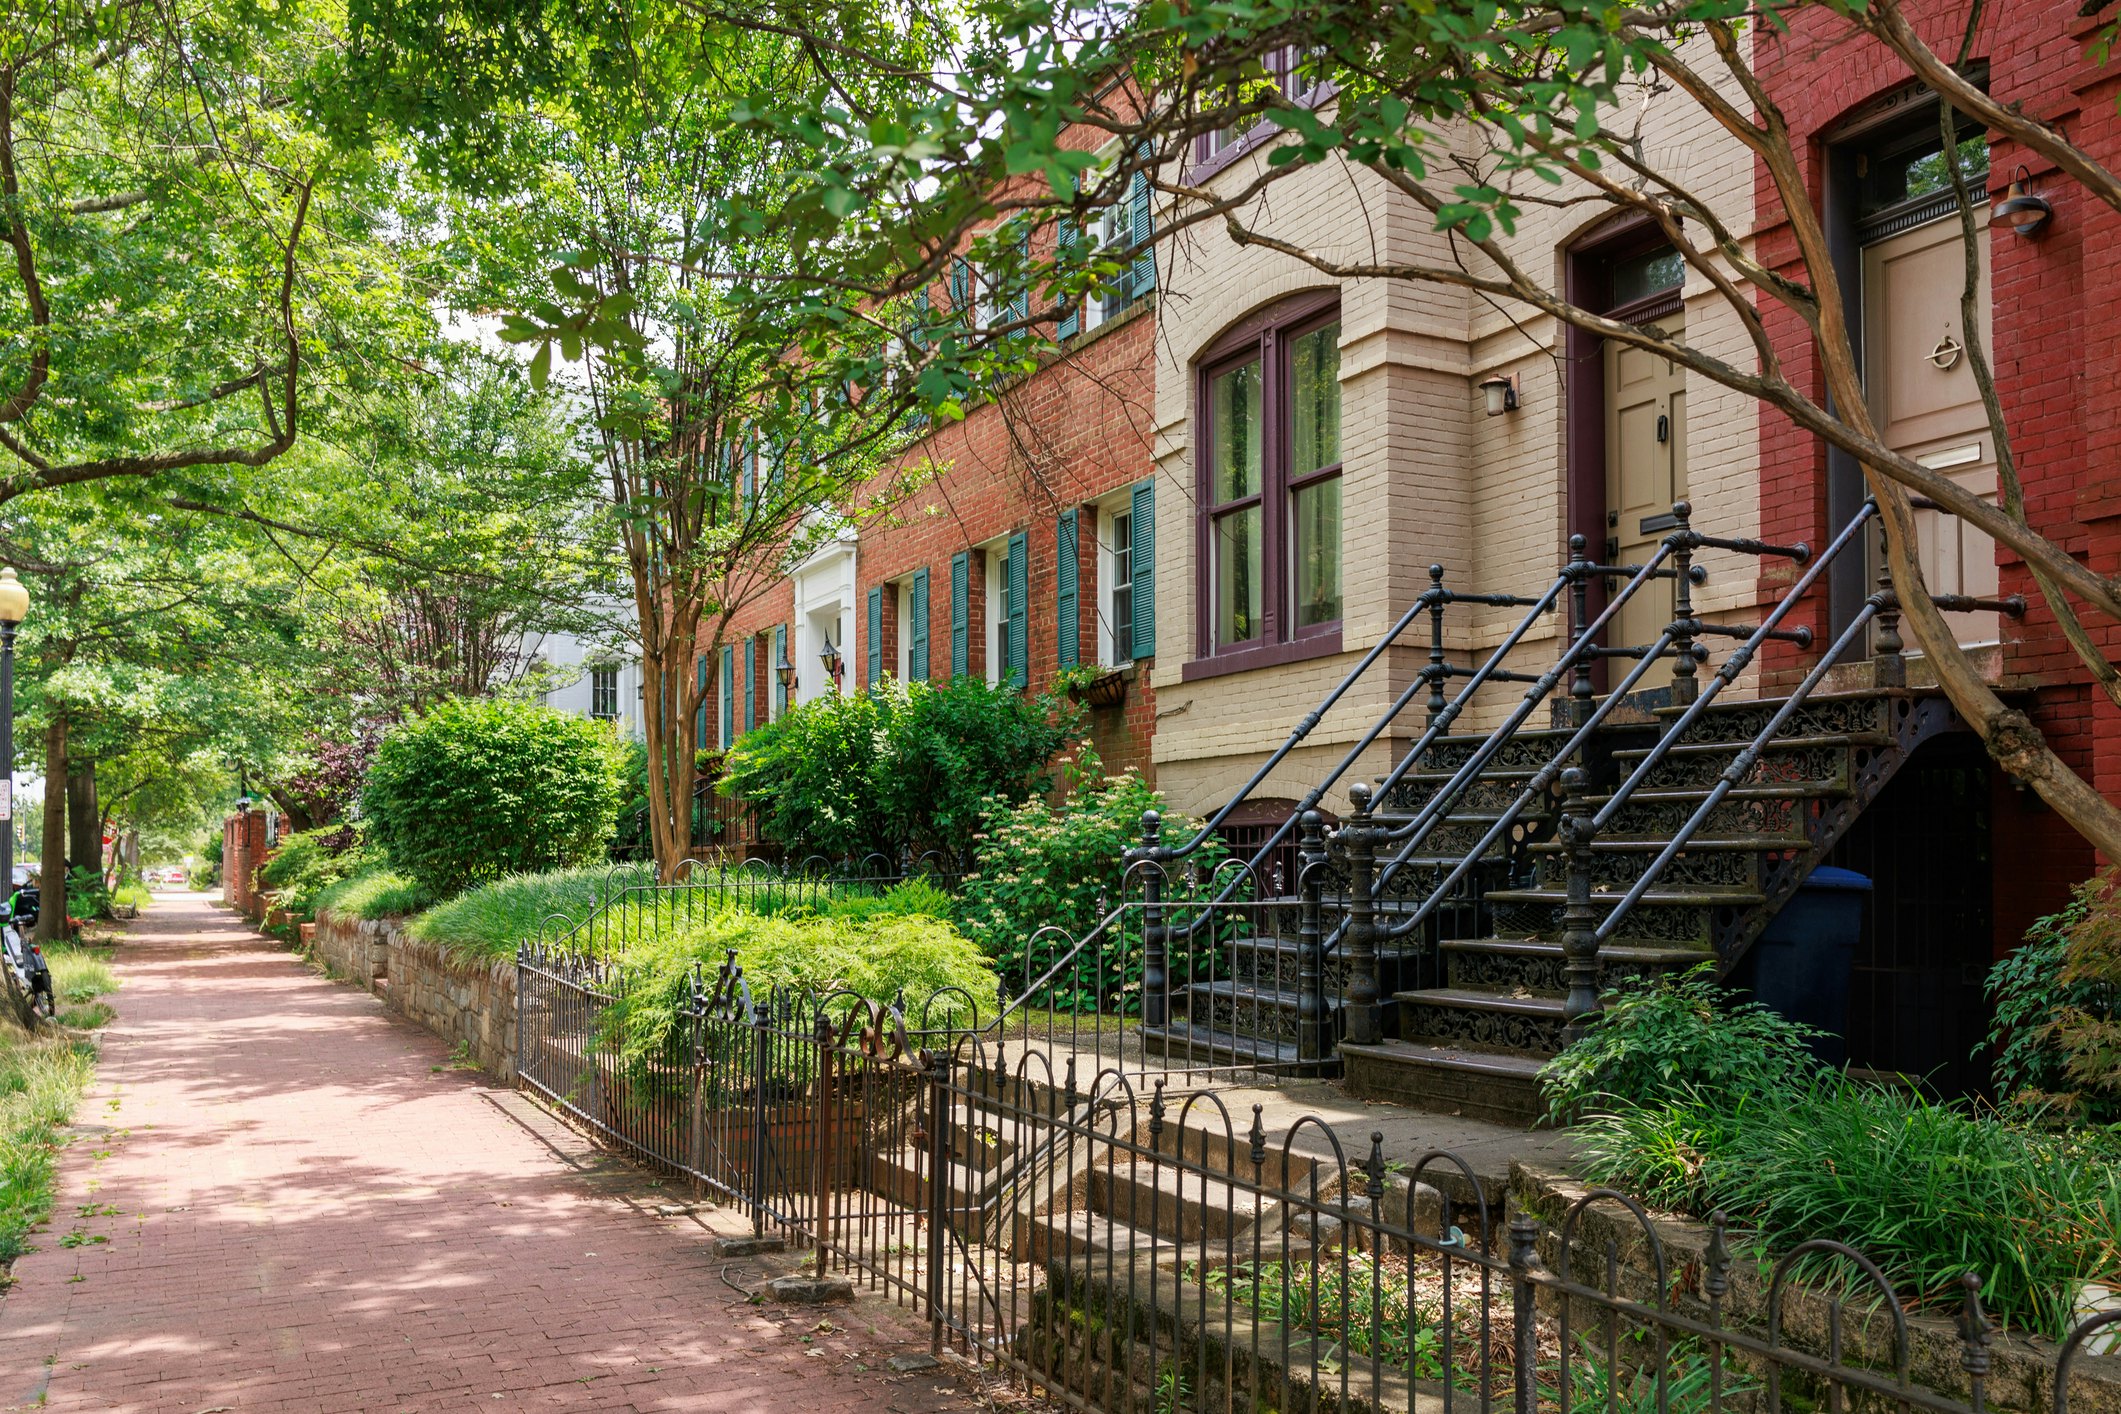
461	1004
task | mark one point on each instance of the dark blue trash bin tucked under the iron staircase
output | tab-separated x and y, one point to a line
1804	961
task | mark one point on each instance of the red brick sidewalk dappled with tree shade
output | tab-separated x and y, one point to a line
306	1209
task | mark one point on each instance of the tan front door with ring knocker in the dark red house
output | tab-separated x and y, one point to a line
1925	400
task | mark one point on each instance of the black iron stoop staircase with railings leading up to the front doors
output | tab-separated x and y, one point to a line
1458	927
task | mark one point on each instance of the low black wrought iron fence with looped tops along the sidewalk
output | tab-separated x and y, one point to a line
1142	1248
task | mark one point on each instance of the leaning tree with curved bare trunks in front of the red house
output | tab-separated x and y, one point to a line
1475	111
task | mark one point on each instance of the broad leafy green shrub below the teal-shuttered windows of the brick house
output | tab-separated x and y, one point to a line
854	775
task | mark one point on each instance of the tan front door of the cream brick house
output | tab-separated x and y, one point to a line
1645	474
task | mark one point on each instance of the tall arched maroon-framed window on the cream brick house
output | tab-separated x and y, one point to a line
1272	480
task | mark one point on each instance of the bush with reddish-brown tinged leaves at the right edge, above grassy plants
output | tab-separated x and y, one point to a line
2058	1012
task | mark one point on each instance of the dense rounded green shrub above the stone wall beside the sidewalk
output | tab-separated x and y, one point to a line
480	788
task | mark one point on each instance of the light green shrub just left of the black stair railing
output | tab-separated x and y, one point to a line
1051	866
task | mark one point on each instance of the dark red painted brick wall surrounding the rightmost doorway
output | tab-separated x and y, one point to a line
2056	368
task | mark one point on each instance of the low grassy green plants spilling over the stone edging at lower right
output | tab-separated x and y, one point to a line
1927	1190
